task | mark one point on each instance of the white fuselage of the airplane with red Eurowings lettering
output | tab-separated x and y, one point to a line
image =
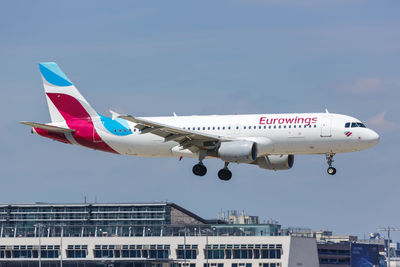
275	134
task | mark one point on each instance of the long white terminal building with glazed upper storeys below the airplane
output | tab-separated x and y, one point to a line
142	235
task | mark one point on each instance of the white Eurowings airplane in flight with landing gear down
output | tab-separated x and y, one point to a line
269	141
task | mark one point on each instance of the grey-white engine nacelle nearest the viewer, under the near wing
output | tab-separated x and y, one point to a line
238	151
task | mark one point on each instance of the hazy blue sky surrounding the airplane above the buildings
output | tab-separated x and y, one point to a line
150	58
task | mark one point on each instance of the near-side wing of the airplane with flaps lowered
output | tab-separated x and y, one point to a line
187	139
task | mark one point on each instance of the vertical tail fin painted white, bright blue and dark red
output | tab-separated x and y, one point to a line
65	102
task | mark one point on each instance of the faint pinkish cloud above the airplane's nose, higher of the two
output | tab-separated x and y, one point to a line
366	86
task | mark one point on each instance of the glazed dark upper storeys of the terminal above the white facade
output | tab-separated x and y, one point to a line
104	220
